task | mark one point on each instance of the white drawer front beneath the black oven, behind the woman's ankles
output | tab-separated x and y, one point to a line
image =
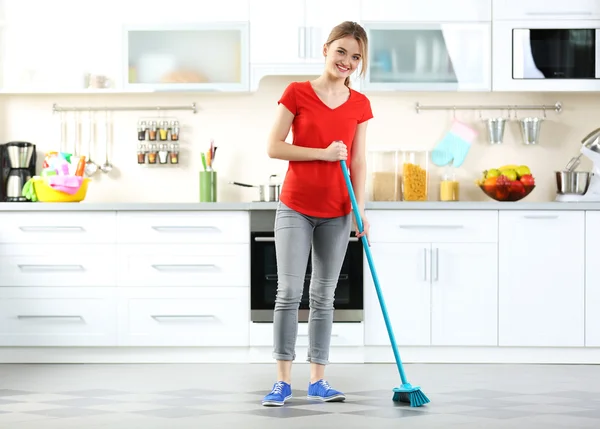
342	334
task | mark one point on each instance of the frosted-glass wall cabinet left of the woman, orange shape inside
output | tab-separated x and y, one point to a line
204	56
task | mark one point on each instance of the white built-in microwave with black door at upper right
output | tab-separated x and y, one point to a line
546	55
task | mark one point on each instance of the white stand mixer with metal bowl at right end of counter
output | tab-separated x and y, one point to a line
581	186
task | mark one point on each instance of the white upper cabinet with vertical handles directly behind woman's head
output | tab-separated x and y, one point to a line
287	38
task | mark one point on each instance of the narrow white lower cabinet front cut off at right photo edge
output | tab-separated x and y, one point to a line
592	280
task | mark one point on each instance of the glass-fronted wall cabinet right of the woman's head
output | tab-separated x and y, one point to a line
423	57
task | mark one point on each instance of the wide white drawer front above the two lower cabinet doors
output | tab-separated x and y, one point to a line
442	226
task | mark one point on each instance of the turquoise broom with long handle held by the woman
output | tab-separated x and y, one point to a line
406	392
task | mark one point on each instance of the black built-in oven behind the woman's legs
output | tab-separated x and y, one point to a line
348	302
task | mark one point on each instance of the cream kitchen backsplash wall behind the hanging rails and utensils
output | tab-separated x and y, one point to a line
239	125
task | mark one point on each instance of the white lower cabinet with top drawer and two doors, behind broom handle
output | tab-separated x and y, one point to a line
438	274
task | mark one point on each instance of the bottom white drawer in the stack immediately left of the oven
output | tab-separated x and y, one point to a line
217	318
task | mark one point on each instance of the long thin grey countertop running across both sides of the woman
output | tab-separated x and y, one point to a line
431	205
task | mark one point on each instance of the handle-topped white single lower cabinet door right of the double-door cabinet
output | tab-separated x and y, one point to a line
541	278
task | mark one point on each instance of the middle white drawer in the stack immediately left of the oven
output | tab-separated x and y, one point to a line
184	265
